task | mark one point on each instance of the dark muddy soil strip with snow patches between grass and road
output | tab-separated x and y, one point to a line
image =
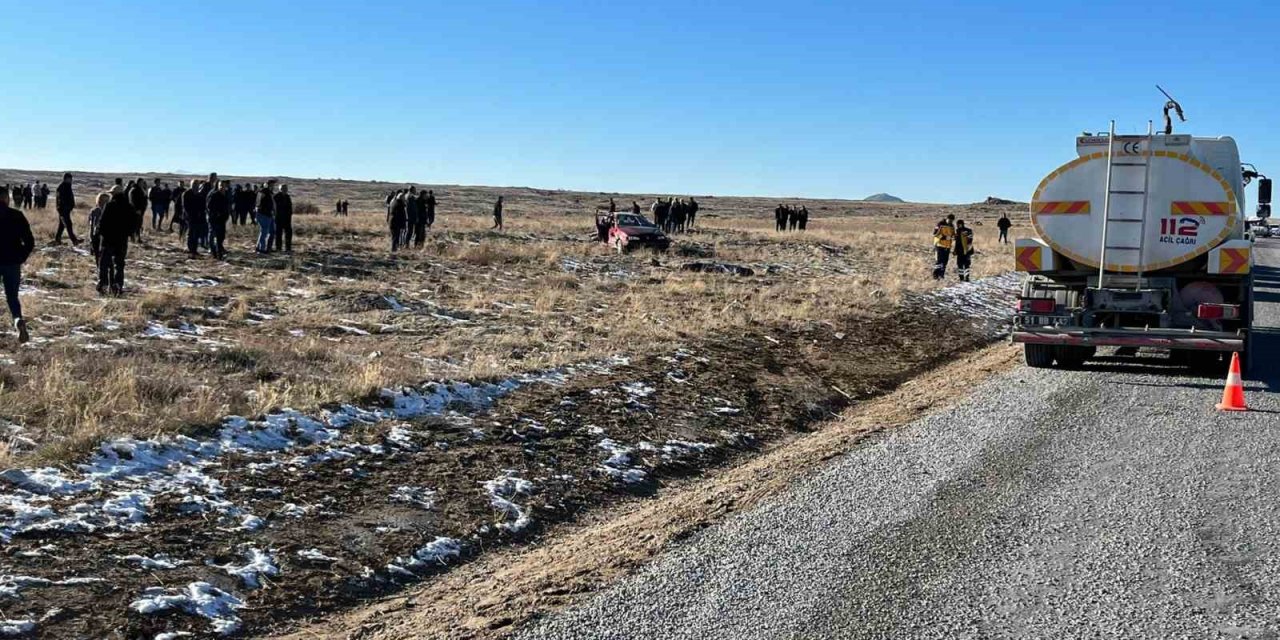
403	501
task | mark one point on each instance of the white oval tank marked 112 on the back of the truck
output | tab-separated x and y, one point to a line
1194	202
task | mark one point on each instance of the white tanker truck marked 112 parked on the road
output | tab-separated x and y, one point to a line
1142	245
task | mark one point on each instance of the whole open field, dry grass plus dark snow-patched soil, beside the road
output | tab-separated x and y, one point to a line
618	374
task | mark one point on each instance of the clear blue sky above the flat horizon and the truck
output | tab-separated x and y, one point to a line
934	102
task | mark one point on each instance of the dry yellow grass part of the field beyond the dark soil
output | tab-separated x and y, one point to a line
289	330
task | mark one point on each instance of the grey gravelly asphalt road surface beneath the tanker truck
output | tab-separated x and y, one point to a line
1113	502
